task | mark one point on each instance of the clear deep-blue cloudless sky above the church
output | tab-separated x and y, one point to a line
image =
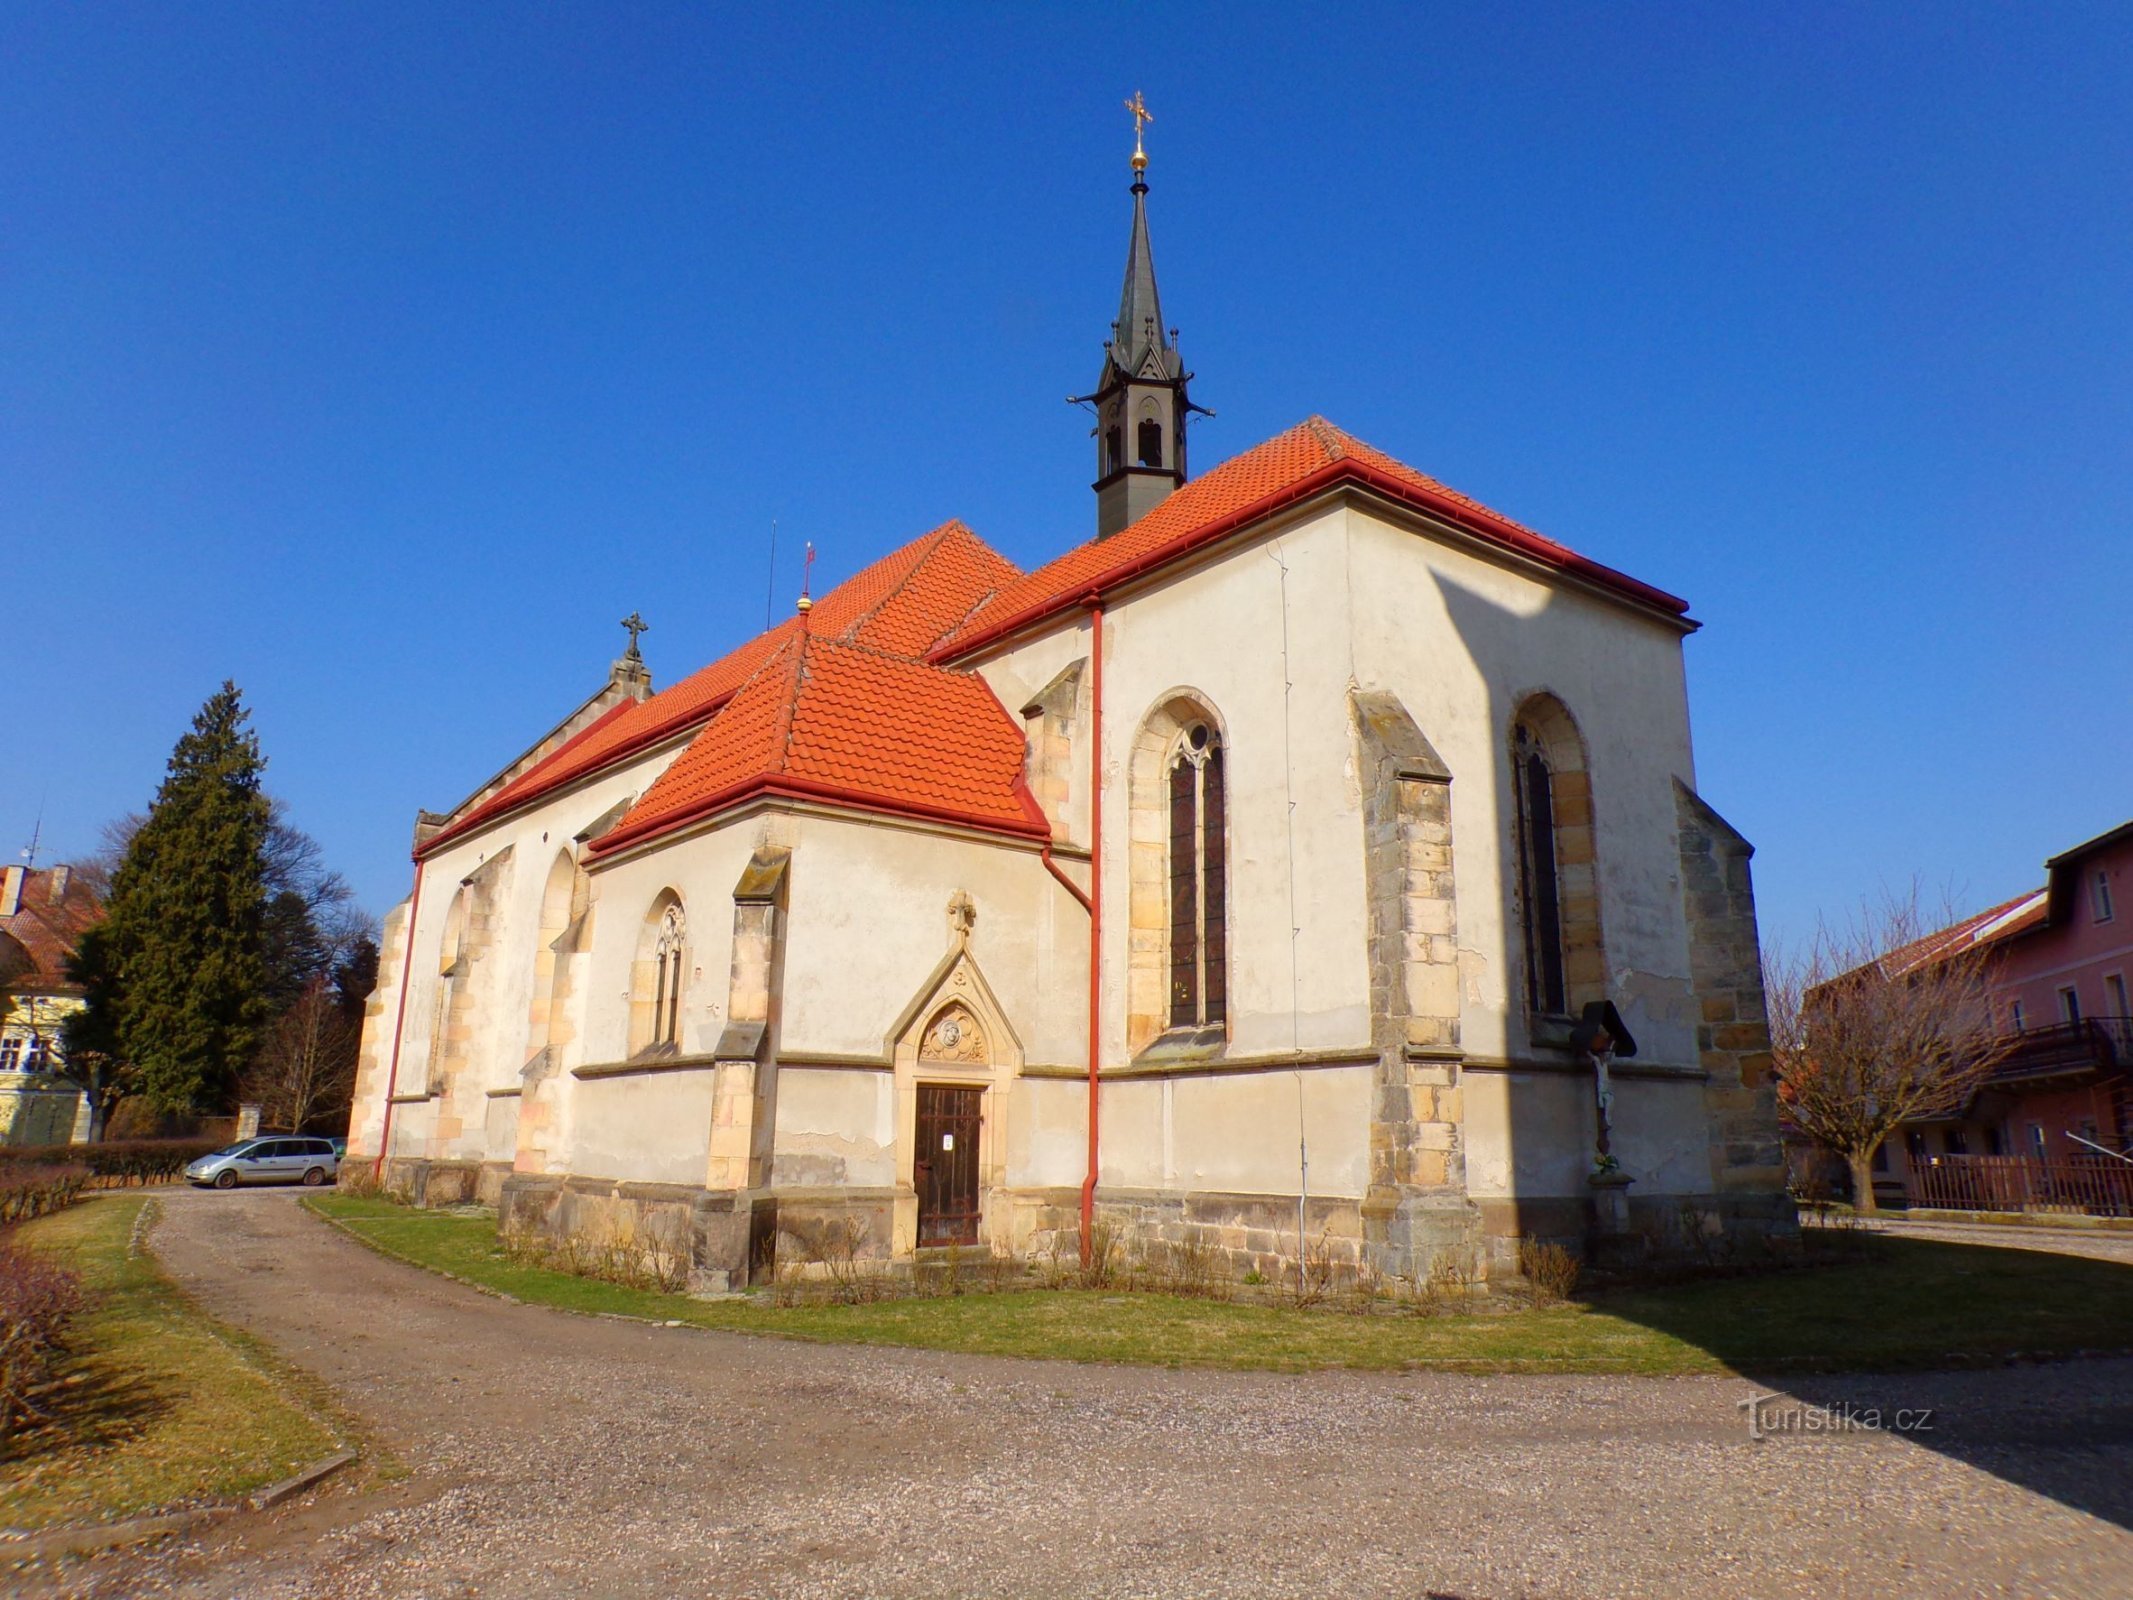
383	357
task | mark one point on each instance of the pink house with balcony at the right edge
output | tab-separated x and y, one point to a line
2062	970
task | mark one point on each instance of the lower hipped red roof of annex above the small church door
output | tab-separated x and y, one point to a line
846	724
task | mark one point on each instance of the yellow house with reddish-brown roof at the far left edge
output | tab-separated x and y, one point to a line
42	916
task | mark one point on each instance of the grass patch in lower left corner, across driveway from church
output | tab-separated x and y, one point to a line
163	1409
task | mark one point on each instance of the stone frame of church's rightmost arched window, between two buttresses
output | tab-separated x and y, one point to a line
1543	724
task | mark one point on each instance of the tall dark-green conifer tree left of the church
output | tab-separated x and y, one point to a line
187	918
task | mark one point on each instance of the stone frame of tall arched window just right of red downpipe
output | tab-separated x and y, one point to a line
1157	743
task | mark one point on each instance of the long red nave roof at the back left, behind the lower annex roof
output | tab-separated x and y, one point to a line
903	603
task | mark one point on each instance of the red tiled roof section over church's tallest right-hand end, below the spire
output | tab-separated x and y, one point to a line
1287	468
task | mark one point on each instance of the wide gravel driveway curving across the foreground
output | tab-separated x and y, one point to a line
564	1456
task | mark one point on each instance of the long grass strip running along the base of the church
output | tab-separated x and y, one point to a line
1887	1305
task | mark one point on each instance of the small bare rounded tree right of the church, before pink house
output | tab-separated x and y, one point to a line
1878	1025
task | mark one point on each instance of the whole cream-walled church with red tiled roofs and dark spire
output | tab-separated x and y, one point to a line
1309	863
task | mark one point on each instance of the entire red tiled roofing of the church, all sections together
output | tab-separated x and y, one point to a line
856	705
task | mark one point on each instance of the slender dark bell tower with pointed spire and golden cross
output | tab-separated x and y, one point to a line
1140	398
